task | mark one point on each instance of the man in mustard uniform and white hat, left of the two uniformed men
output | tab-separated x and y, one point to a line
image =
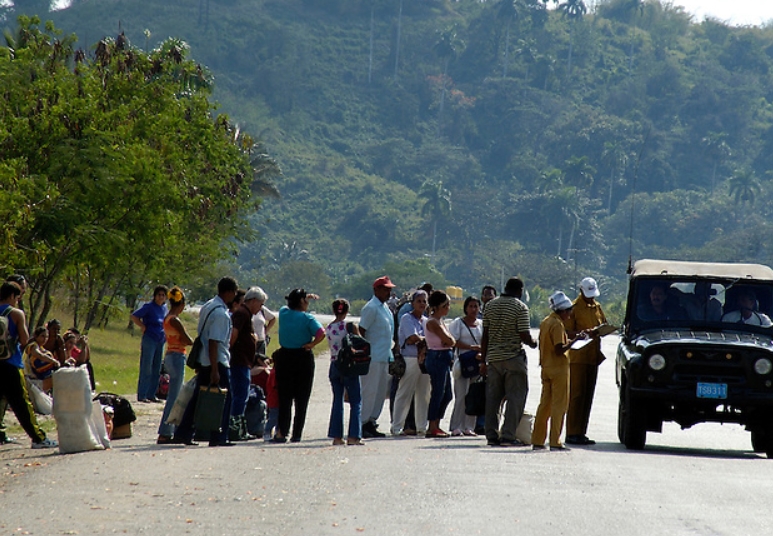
554	400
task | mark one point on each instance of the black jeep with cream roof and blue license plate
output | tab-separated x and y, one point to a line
696	346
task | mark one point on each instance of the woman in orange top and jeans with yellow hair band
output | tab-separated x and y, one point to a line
177	339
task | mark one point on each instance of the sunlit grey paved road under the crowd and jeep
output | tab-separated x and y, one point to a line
704	481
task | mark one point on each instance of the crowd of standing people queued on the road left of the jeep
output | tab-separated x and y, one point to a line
498	330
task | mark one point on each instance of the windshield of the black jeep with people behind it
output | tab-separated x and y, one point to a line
708	304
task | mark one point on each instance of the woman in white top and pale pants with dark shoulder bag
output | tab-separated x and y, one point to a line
468	331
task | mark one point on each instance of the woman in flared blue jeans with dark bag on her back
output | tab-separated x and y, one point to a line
335	332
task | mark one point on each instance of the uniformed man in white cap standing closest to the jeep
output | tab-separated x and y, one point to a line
584	362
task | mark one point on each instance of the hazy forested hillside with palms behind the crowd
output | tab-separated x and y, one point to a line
481	138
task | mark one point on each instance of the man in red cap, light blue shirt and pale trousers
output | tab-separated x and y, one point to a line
377	325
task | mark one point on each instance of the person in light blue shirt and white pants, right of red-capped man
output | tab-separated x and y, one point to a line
414	385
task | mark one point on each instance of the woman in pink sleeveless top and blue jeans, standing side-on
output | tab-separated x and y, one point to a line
440	357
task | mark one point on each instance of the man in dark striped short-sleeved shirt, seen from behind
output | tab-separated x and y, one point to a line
505	330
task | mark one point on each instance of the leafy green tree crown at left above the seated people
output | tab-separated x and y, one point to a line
119	162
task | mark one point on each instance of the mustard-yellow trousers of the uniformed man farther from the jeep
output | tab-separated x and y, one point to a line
553	404
